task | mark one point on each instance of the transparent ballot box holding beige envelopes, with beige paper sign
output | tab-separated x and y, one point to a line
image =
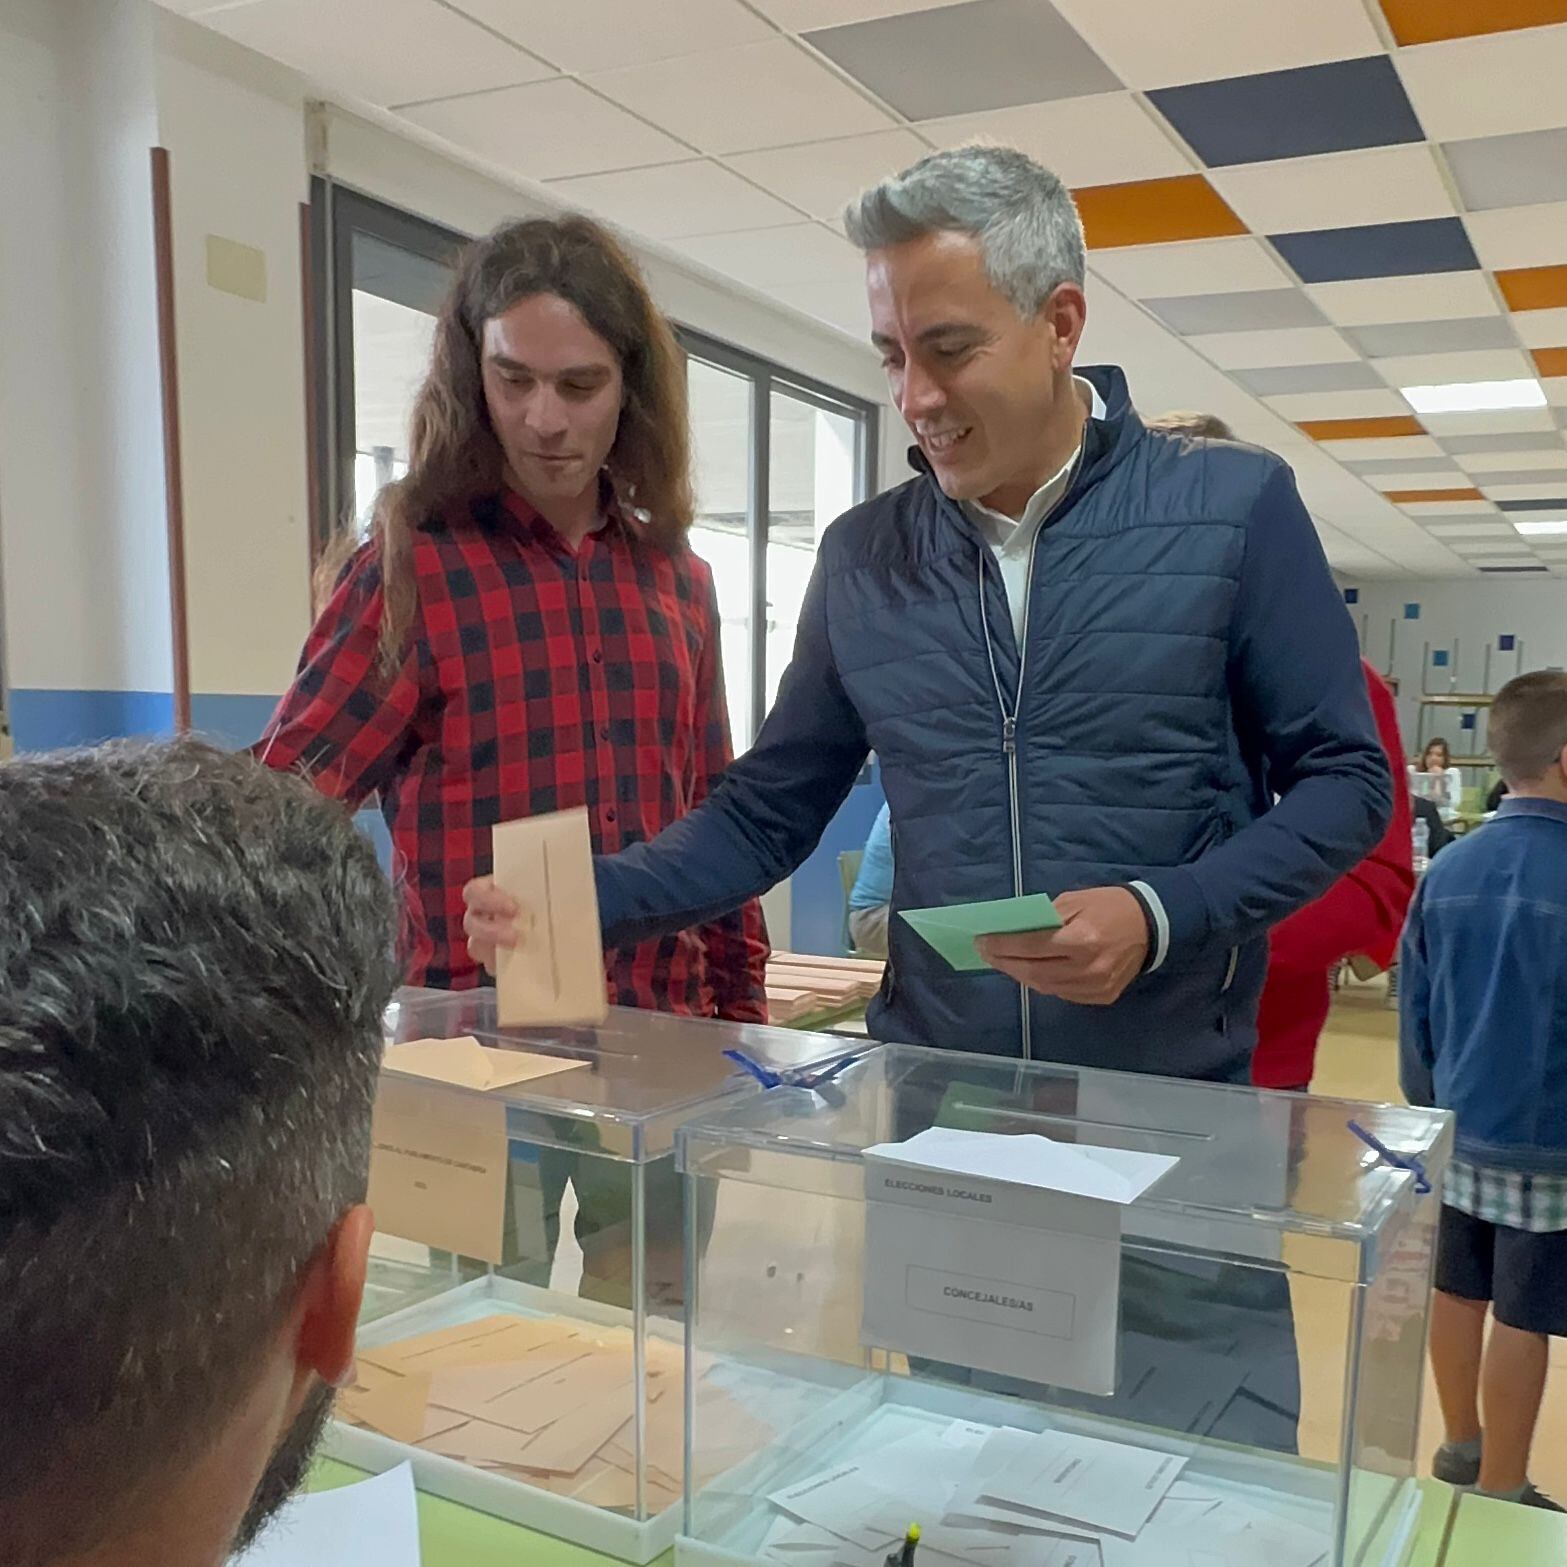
523	1336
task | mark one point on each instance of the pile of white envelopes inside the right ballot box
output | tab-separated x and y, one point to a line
996	1497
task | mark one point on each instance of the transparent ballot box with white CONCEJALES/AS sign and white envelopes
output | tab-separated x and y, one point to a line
1059	1319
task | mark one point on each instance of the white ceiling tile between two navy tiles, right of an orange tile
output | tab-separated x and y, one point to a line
1372	186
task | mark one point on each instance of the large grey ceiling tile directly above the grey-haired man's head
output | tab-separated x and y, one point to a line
963	59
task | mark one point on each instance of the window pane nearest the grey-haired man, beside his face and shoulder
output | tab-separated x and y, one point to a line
812	482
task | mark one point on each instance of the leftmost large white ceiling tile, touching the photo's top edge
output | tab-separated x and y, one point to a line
382	51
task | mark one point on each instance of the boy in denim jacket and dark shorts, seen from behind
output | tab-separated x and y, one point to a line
1485	1035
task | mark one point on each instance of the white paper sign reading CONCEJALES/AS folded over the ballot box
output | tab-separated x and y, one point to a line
1001	1253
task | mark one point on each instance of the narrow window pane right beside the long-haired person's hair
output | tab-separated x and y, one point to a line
722	465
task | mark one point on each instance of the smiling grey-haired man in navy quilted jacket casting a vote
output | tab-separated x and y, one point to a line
1095	660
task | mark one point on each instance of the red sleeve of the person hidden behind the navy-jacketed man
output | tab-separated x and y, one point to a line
1364	911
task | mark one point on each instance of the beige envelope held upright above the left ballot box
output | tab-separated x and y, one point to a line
557	974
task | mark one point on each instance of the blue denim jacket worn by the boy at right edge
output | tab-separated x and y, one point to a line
1485	990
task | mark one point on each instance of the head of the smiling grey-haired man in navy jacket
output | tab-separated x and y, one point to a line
975	267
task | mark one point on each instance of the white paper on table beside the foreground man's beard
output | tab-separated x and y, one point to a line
372	1524
